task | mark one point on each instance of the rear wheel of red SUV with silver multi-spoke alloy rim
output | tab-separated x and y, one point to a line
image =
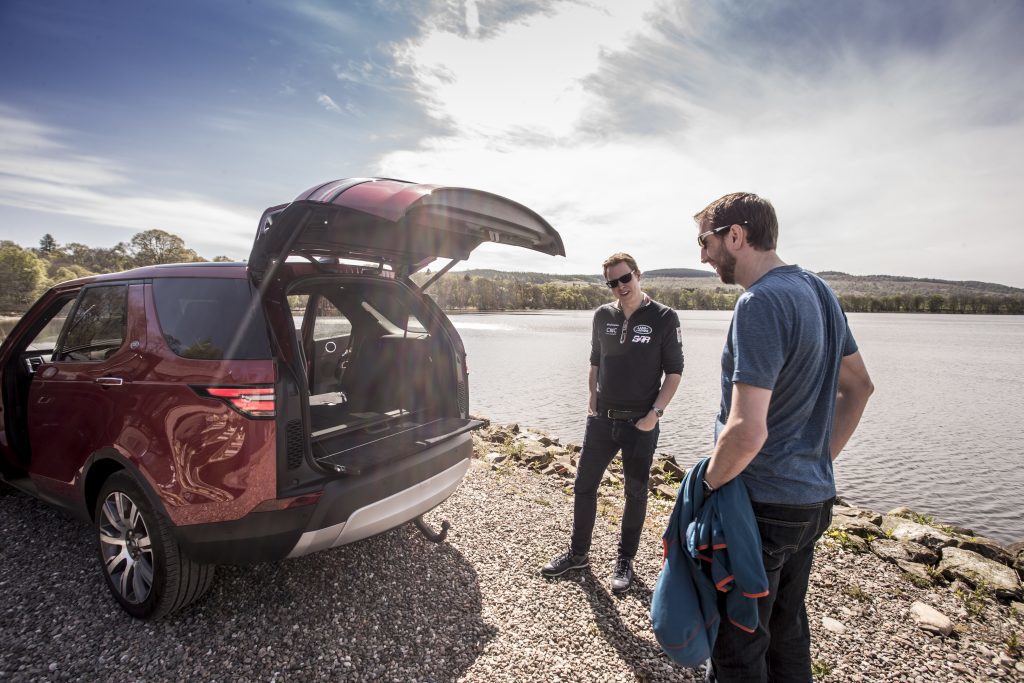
146	570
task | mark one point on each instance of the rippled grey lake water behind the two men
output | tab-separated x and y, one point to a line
943	433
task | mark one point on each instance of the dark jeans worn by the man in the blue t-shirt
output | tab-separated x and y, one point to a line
781	648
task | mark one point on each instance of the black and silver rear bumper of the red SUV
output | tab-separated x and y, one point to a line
351	509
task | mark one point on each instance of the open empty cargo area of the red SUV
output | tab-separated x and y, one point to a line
382	372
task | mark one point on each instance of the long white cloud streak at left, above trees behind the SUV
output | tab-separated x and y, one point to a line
39	173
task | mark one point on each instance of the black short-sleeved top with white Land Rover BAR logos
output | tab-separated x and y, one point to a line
631	356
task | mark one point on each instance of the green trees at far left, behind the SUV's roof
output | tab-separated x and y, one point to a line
26	274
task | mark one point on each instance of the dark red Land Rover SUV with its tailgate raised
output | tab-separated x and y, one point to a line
235	413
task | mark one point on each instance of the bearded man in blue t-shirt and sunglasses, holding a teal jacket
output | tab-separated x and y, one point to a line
794	388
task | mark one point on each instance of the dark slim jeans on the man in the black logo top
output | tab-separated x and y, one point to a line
601	444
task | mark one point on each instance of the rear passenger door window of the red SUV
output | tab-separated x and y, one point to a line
99	326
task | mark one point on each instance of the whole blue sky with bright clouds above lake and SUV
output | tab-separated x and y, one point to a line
888	136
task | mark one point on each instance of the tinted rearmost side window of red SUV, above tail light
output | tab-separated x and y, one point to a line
212	319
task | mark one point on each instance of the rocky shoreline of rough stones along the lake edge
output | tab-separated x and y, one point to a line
980	578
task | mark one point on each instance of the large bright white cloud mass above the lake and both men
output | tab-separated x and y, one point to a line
882	133
